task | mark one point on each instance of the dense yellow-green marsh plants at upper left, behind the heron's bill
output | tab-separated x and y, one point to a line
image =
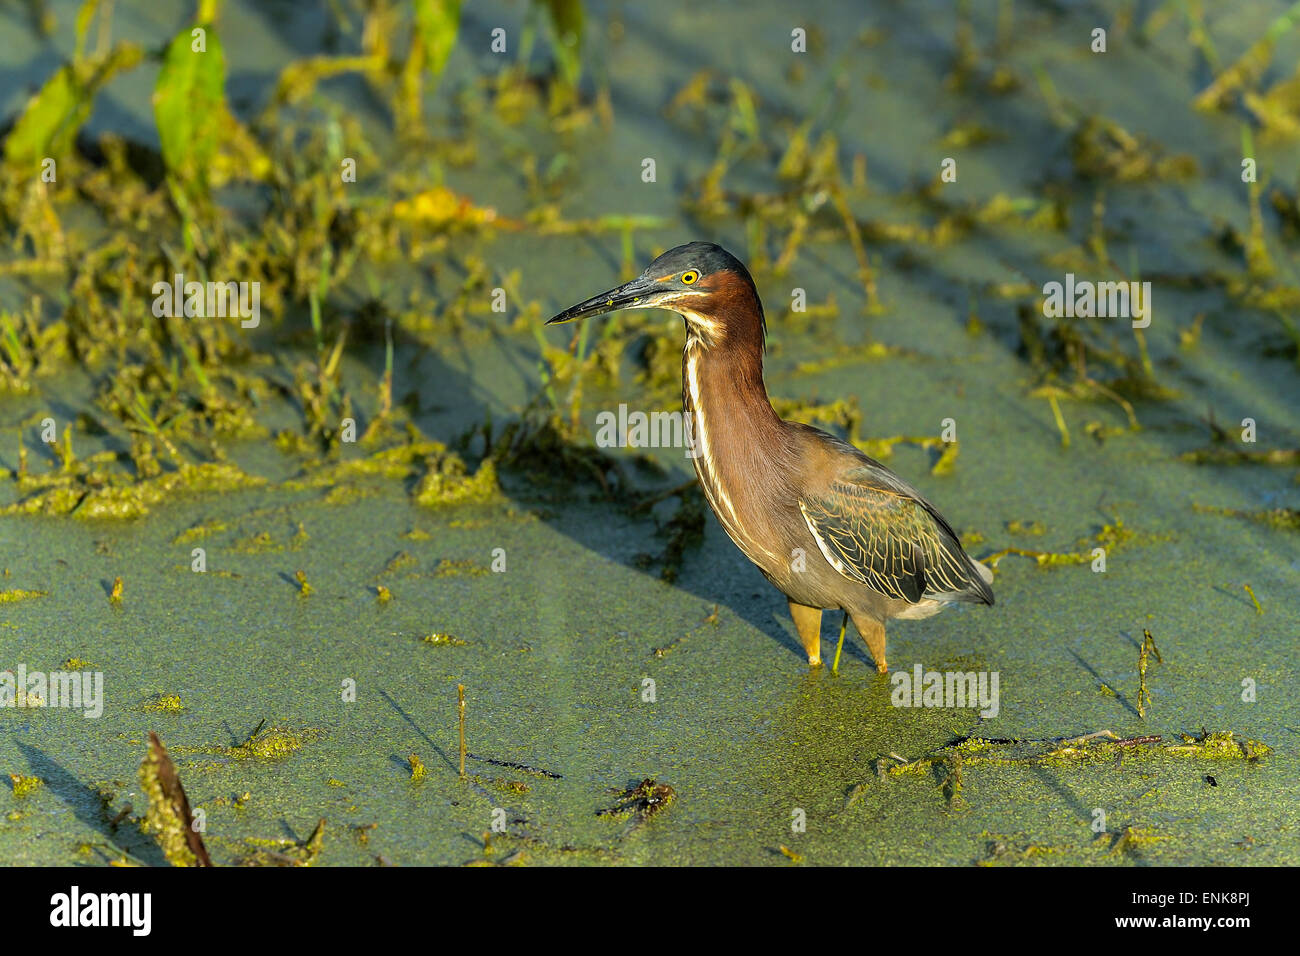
172	391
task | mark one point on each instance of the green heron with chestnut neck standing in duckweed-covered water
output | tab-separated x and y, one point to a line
826	525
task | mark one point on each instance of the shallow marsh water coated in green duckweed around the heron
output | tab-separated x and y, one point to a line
558	647
